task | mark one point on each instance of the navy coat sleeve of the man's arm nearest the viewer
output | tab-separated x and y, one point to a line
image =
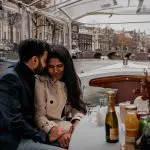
11	114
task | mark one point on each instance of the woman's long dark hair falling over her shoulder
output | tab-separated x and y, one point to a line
70	78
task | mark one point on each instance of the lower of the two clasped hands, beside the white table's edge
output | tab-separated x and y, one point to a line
64	140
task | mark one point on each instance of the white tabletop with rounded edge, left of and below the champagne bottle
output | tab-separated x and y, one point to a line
89	136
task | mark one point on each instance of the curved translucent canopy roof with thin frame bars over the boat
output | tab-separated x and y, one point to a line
72	10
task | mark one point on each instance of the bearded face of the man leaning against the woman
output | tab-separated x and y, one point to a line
41	63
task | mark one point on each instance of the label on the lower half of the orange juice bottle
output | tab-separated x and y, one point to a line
131	135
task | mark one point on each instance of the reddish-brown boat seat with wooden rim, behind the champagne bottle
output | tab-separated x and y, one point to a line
127	85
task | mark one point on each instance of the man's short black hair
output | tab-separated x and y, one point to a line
31	47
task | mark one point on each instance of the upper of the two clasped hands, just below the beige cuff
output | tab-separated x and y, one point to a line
55	133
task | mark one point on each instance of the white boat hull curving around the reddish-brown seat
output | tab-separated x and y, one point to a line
92	94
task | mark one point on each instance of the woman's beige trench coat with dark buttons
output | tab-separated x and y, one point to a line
50	100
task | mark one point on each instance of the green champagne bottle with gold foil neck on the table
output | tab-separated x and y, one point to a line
111	120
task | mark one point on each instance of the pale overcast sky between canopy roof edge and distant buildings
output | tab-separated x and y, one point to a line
101	20
